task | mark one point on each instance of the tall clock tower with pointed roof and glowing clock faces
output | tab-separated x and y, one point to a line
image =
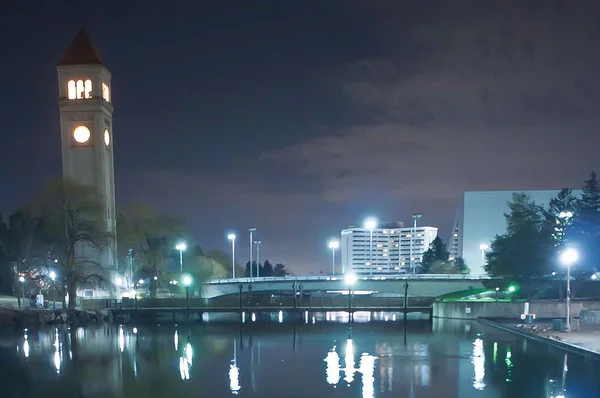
84	99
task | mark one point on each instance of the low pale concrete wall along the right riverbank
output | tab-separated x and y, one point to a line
547	309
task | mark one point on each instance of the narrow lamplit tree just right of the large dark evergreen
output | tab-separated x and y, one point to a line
559	216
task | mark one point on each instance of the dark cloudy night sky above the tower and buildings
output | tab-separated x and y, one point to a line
302	117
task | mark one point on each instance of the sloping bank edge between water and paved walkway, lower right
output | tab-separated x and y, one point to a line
587	353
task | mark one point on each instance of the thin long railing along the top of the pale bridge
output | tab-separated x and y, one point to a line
293	278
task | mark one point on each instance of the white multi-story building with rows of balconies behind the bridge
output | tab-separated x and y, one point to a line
386	249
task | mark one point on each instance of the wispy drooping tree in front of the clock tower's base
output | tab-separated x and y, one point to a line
70	225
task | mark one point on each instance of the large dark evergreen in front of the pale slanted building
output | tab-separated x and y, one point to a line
525	249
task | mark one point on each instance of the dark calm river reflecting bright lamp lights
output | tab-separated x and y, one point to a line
320	356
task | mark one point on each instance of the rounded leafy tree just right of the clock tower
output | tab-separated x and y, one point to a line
153	237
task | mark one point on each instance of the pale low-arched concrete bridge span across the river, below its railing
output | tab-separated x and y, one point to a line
391	286
